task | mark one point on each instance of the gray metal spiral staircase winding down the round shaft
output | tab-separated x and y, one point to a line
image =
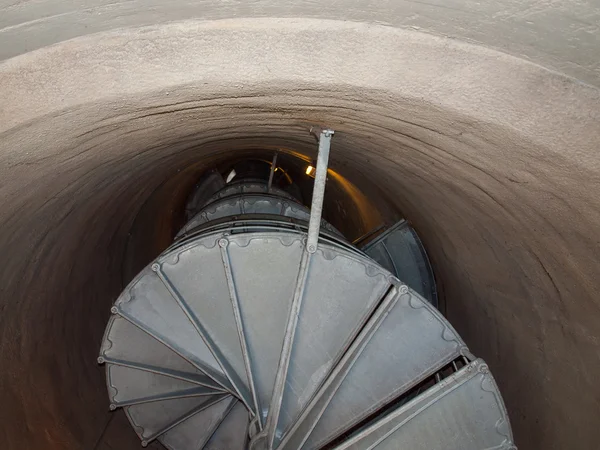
261	328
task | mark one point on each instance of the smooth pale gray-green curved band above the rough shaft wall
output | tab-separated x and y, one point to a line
562	35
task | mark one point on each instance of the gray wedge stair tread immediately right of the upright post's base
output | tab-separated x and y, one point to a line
339	294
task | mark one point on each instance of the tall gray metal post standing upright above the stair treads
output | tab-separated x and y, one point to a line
316	207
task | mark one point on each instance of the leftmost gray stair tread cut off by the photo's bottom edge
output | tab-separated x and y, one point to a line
194	432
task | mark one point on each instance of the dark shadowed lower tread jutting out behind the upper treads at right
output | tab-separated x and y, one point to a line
400	251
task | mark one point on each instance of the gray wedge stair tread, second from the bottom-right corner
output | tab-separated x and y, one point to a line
412	343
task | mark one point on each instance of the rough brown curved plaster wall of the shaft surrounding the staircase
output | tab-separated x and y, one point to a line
494	160
